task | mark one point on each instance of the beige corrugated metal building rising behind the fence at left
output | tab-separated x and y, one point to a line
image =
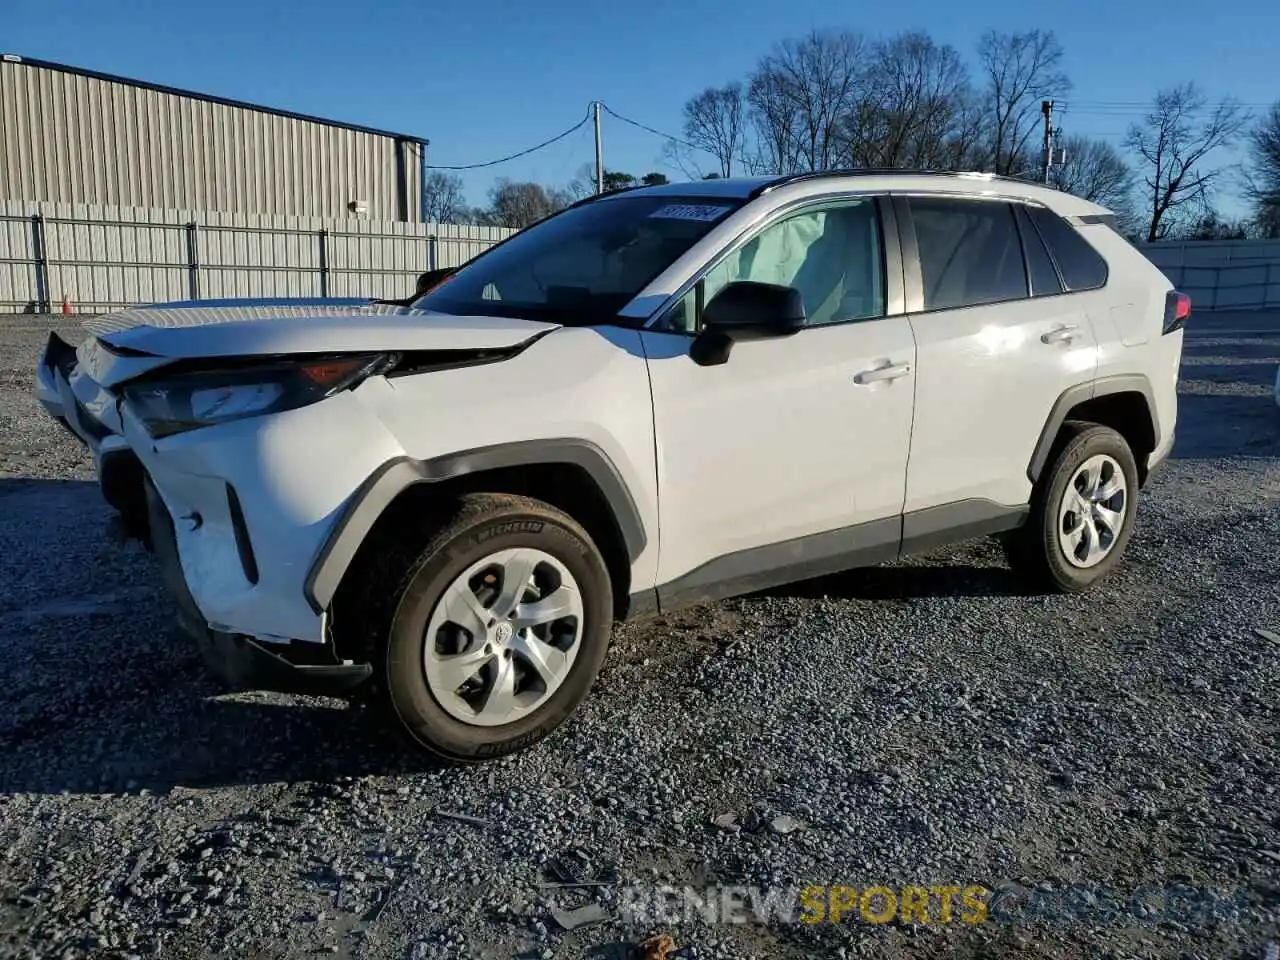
79	136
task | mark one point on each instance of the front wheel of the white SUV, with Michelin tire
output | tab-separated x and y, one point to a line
500	629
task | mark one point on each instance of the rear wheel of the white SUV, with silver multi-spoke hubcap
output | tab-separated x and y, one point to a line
1084	511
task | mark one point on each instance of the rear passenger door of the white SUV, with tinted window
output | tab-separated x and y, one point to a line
998	342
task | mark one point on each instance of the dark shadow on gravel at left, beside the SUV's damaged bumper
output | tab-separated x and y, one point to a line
103	696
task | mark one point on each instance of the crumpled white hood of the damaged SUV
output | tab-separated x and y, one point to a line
285	327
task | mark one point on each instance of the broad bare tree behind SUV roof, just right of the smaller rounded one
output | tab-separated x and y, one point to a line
799	97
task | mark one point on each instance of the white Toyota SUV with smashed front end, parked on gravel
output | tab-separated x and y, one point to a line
657	397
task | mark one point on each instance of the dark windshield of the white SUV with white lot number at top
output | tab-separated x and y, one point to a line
582	266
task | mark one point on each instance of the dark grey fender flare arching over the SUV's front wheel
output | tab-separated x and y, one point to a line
367	505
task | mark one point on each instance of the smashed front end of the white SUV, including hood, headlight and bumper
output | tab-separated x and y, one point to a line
230	442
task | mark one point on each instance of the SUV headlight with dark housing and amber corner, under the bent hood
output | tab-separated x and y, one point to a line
220	396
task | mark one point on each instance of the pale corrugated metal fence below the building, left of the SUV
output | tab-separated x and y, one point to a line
104	258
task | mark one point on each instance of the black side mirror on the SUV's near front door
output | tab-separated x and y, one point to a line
747	310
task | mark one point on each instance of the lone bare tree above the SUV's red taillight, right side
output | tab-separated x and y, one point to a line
1174	141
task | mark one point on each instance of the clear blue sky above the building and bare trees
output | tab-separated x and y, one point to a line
484	79
